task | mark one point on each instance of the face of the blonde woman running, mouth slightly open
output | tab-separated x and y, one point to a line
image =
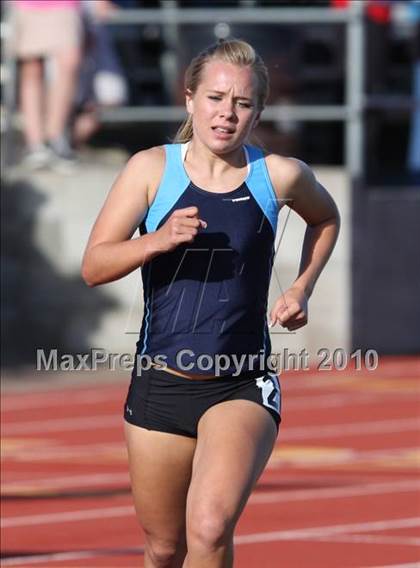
224	107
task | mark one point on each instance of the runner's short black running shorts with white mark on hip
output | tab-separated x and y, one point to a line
159	400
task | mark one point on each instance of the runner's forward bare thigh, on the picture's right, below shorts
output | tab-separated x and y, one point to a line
235	440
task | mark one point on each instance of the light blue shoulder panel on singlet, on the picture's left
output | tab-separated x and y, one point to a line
174	183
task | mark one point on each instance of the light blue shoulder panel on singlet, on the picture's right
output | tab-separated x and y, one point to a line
259	184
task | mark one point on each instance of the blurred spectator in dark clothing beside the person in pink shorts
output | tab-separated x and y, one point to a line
102	81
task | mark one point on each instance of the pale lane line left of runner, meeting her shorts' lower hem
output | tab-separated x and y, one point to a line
63	424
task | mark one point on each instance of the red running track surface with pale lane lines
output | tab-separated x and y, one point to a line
341	488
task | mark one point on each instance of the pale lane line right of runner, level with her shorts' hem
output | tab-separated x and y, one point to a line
311	432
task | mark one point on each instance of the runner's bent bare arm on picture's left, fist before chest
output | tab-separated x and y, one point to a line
111	252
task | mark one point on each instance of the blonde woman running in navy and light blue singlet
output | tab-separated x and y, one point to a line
202	415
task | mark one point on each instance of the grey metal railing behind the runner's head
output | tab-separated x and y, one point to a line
171	16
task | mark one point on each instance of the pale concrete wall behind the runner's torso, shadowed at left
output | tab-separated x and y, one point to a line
61	211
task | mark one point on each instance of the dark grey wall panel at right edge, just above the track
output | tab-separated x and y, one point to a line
386	270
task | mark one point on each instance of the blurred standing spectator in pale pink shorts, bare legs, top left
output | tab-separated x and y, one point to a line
47	31
